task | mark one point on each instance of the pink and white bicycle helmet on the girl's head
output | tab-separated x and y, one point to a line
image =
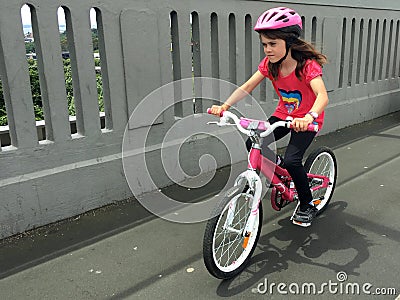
281	18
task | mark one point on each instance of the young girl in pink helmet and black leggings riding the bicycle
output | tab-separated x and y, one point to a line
294	67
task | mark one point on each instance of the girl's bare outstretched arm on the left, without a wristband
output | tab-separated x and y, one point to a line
239	93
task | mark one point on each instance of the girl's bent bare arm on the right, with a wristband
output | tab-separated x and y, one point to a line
318	86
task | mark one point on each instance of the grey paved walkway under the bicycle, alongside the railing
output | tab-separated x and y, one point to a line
122	252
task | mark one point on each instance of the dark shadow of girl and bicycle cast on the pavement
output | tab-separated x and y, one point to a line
304	247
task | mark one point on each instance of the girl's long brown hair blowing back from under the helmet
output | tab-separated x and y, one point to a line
301	51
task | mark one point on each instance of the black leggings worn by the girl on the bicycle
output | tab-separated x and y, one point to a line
298	144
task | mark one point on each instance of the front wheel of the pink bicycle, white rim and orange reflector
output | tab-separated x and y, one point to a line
226	249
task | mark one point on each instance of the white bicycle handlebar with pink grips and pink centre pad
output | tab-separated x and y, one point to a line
244	124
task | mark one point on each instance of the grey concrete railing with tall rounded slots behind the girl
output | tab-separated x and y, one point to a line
144	45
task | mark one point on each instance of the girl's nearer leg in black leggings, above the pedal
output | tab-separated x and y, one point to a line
298	144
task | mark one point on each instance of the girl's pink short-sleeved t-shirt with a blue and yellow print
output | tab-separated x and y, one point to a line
296	97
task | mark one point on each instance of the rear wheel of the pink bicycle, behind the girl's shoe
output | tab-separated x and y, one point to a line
322	161
